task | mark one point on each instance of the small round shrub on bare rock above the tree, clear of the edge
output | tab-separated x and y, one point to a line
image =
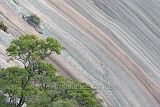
34	20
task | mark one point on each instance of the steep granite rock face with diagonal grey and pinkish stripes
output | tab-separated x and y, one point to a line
113	45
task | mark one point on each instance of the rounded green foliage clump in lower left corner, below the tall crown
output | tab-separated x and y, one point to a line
15	83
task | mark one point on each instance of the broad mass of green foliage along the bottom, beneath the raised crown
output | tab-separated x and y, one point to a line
45	88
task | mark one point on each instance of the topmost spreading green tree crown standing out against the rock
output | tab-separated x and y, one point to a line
29	49
